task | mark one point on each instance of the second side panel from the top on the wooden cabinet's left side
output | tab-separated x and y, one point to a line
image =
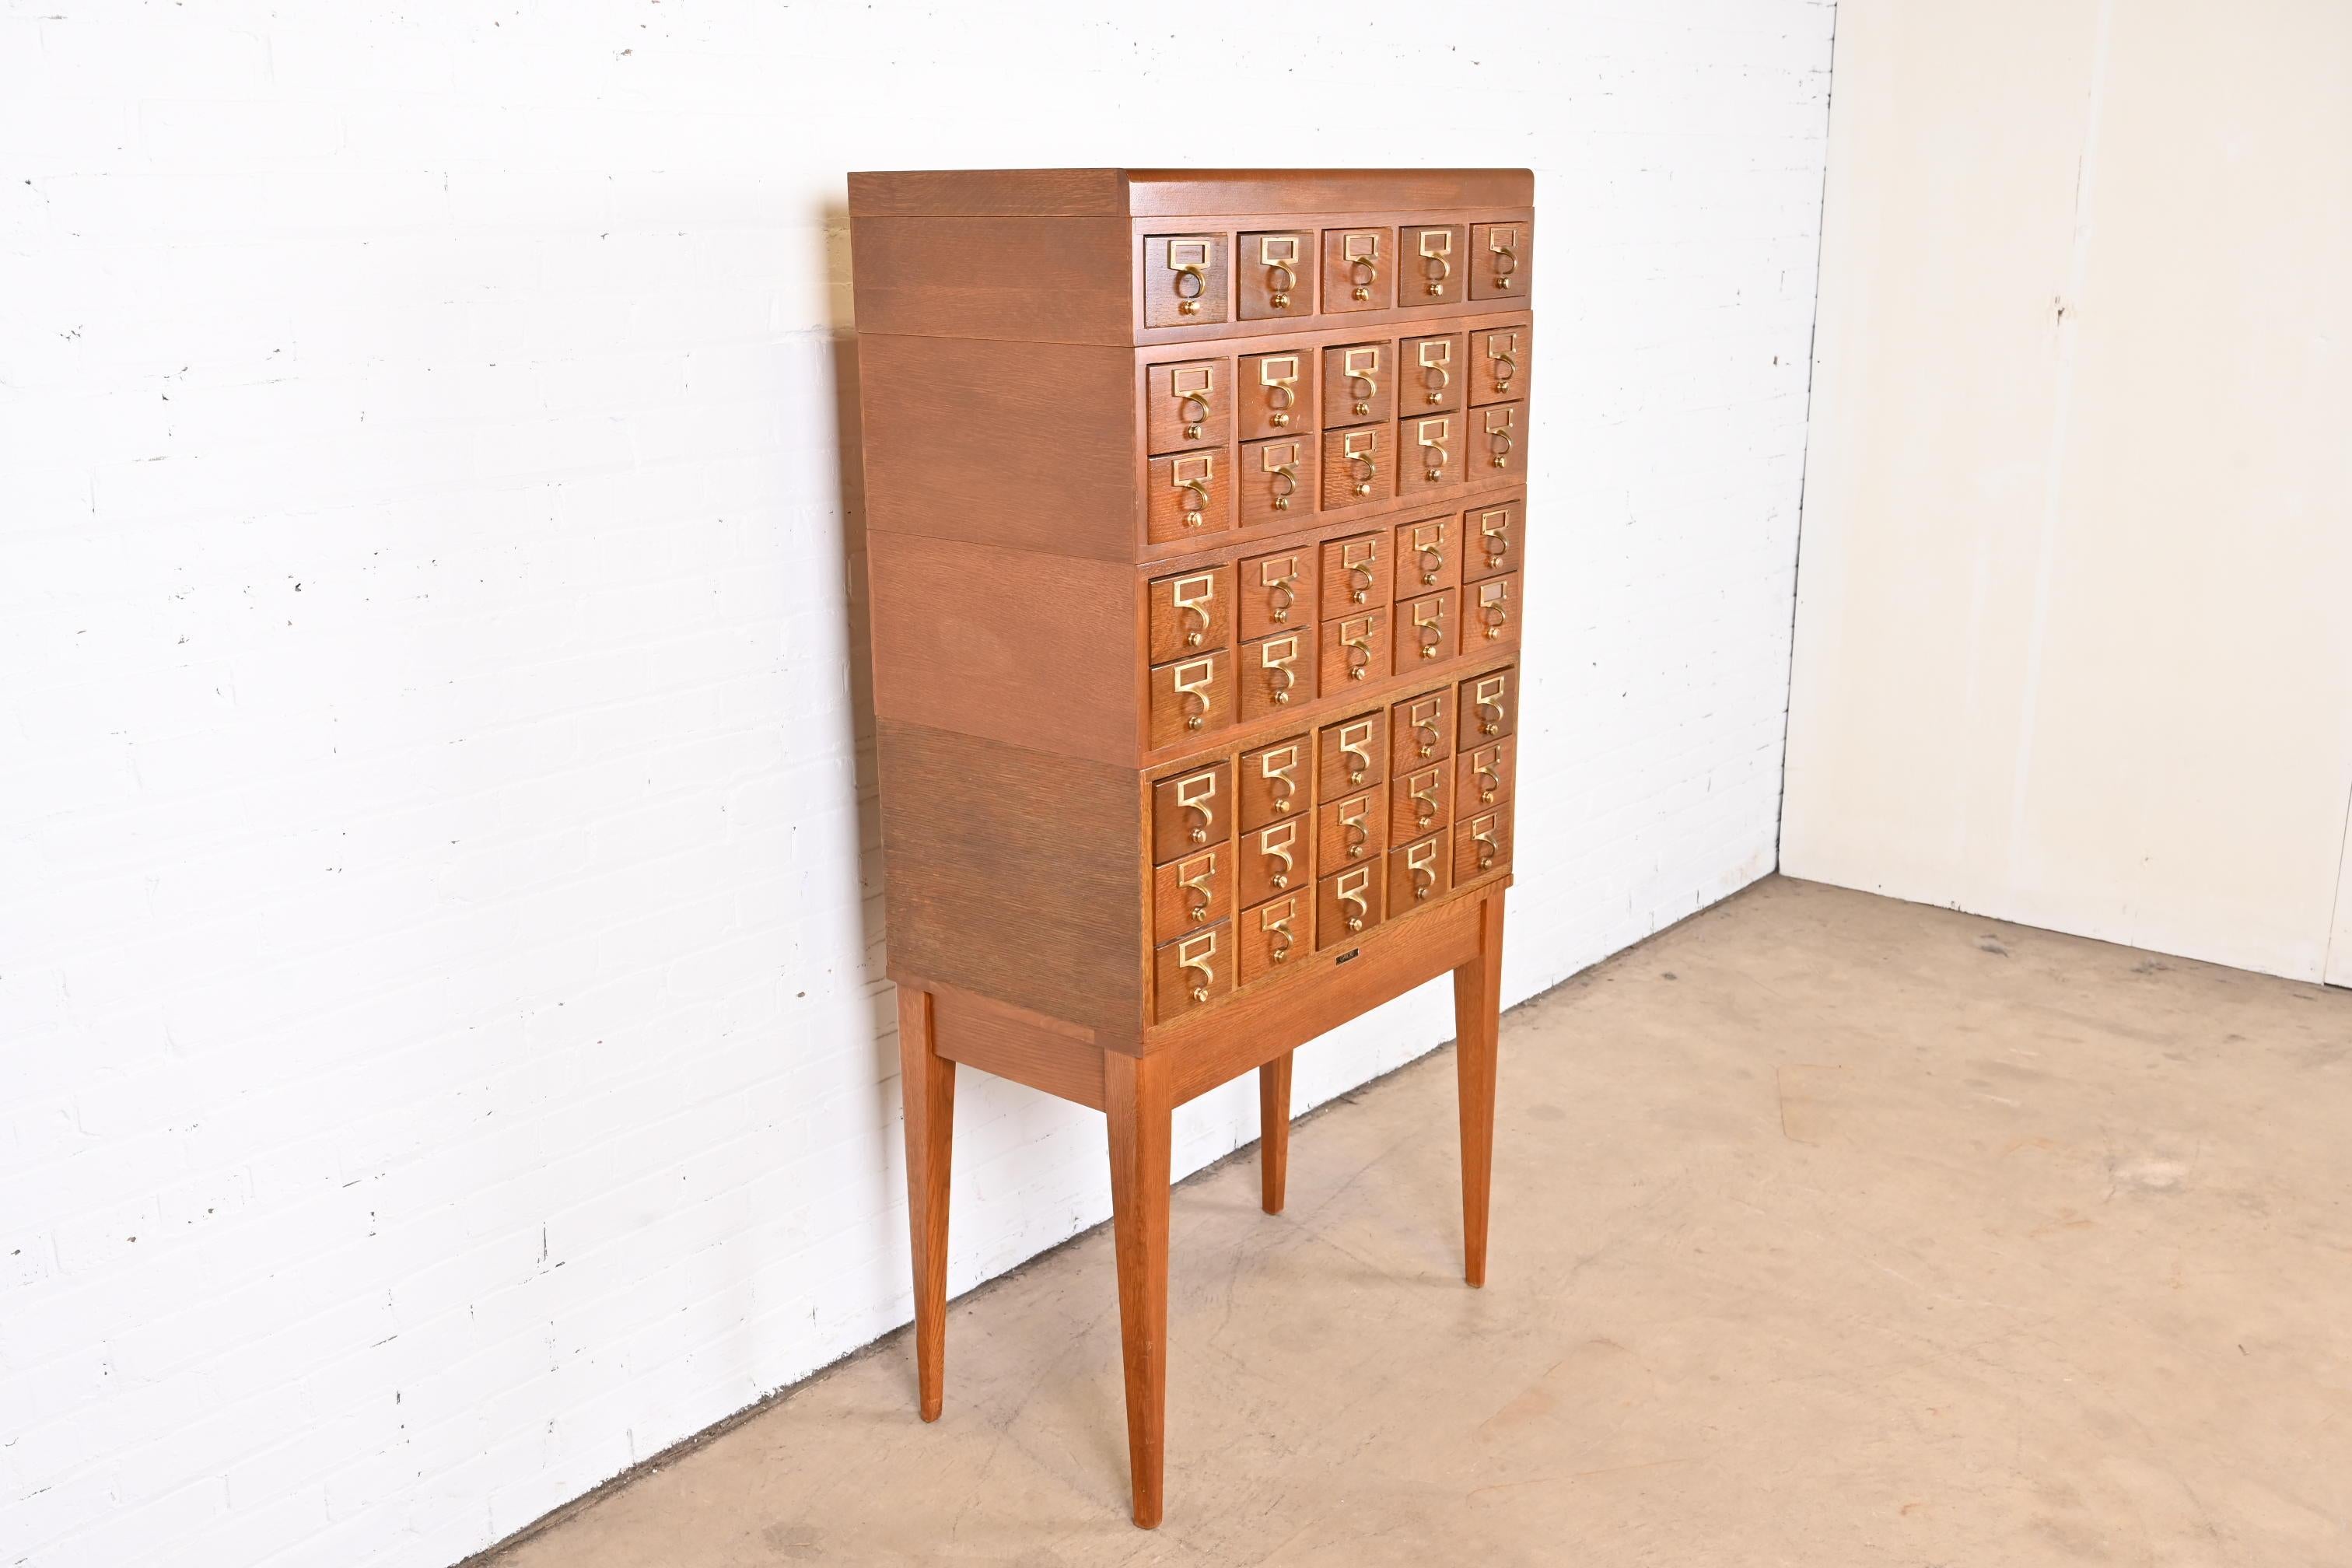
1029	445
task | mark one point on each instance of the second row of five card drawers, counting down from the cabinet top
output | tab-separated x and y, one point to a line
1205	403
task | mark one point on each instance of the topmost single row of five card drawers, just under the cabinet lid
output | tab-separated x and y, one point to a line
1295	274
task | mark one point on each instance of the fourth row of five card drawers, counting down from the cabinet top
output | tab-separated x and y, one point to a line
1194	612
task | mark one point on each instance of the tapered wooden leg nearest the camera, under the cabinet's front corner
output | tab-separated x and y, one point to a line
1137	1104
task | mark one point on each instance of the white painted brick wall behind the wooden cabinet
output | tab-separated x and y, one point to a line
439	930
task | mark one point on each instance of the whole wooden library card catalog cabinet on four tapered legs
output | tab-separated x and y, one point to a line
1196	540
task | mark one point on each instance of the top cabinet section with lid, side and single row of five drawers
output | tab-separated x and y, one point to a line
1215	255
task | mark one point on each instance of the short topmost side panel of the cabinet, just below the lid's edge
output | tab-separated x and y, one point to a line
1048	281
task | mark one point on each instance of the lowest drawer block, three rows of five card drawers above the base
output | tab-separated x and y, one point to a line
1410	803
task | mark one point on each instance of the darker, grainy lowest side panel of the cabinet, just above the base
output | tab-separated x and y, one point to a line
1013	873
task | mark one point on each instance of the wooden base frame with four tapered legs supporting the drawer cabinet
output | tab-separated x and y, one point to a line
1140	1094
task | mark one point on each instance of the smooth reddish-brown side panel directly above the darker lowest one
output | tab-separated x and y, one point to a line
1034	650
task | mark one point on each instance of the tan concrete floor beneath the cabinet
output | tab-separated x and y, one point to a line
1829	1231
